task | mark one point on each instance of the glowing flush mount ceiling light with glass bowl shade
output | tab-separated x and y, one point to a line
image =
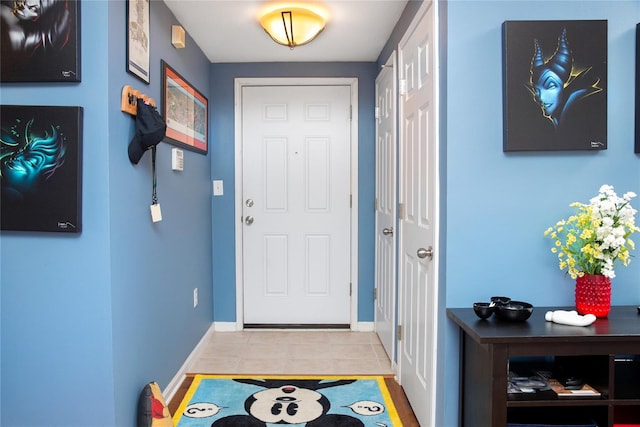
292	26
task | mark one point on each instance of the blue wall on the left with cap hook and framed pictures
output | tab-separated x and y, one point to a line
87	320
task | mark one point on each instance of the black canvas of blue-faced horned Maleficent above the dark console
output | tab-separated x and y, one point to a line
555	85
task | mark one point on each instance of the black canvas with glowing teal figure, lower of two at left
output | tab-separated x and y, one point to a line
41	168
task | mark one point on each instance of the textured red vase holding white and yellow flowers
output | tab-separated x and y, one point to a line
593	295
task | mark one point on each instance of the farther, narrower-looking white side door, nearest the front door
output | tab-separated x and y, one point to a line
385	249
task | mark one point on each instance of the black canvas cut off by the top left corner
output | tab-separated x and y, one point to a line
40	44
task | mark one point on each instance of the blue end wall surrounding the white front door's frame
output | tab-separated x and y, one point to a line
223	161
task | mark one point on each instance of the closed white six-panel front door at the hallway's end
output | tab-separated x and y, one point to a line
296	204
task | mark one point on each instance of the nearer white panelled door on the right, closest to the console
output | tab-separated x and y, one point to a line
418	197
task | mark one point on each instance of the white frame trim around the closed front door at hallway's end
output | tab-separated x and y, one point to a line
239	83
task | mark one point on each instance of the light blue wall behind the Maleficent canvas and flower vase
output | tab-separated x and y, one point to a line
497	204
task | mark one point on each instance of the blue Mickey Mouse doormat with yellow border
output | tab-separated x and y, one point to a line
309	401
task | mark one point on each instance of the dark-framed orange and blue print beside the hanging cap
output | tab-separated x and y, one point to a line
186	112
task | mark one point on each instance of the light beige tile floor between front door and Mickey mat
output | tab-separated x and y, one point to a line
293	352
